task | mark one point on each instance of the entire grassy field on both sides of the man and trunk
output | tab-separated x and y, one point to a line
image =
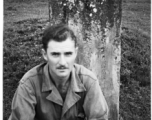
23	26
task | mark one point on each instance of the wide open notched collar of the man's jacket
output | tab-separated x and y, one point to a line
71	98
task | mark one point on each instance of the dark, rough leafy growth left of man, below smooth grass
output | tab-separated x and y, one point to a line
22	47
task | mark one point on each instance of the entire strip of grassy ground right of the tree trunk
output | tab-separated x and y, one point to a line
135	67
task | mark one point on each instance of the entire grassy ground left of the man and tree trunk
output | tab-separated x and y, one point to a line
23	25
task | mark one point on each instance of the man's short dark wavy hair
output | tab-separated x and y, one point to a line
59	33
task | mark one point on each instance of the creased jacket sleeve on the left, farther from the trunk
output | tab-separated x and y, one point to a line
23	104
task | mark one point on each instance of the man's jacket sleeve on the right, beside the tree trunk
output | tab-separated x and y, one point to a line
95	105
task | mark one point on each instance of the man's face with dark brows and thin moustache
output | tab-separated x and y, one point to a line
60	57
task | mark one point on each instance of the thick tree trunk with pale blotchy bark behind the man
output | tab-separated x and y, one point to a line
97	25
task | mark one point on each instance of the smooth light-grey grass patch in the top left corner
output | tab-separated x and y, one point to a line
14	12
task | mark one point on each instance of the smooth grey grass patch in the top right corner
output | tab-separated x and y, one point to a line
136	15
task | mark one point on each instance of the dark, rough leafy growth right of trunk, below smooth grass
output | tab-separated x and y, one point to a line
135	76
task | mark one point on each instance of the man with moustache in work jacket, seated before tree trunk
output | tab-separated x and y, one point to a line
59	89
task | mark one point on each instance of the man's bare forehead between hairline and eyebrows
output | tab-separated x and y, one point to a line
67	45
